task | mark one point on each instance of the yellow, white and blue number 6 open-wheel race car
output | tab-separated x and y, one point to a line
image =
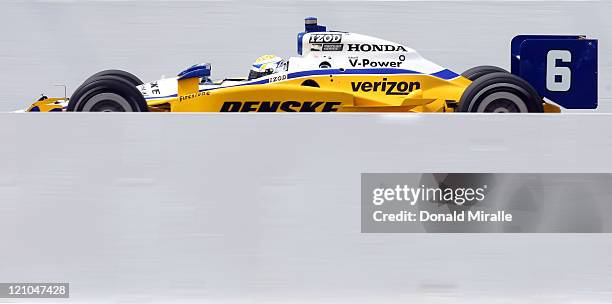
347	72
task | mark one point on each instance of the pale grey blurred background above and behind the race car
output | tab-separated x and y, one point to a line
63	42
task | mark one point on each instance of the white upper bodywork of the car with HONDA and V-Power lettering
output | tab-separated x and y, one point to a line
335	52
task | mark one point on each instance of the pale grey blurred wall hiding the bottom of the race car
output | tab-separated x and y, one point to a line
251	208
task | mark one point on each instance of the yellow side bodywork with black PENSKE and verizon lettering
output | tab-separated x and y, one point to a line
346	93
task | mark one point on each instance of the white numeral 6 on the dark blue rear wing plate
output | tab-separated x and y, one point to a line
558	79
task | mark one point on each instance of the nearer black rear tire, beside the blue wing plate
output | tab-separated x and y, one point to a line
500	93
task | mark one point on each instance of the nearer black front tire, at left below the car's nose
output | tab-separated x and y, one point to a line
107	94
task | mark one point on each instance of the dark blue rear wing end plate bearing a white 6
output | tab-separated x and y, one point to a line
562	69
